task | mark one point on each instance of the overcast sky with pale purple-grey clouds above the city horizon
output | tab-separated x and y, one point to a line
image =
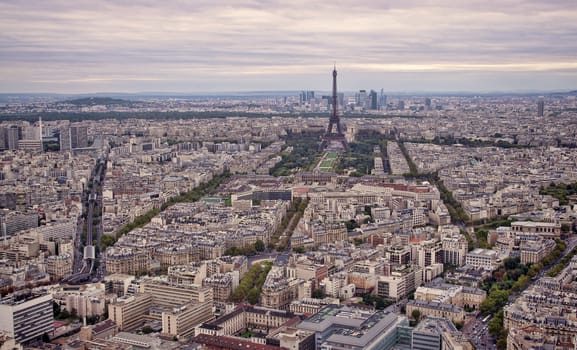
81	46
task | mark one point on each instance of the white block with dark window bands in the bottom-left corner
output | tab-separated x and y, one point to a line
26	316
